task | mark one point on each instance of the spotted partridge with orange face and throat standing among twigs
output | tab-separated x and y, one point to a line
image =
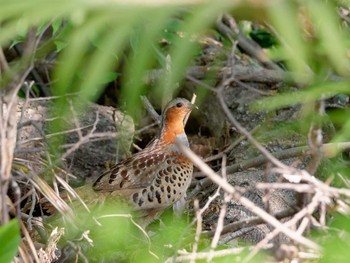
159	175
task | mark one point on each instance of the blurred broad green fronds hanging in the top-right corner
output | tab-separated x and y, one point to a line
312	38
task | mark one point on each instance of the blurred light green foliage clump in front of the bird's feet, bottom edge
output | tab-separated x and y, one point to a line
115	236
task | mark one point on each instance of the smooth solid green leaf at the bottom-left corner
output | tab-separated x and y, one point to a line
9	240
